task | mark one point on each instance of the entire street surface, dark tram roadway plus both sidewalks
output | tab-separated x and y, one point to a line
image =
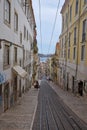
52	109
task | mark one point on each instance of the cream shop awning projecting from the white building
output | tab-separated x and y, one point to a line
20	71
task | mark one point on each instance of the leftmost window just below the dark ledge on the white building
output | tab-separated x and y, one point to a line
6	55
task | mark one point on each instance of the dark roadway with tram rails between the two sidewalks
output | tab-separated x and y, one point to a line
53	114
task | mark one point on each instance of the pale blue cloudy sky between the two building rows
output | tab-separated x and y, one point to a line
48	14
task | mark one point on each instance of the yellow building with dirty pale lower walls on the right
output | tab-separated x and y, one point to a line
73	42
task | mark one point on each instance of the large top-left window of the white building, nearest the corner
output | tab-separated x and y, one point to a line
7	11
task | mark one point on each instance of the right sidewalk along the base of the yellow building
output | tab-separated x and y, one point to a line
77	104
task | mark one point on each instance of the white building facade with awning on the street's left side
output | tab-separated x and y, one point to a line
17	28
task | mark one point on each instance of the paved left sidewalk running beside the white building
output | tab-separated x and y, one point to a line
21	116
